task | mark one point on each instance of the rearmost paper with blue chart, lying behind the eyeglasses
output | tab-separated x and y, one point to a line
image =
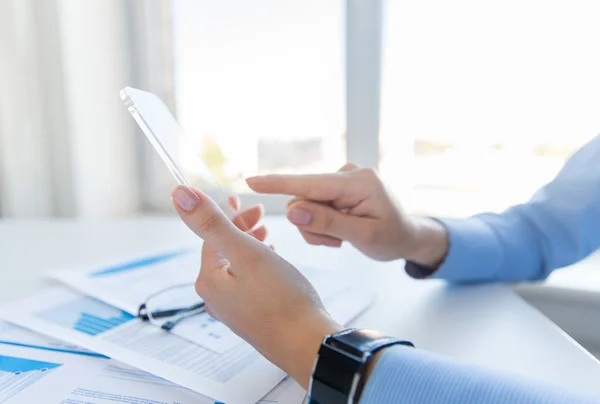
128	284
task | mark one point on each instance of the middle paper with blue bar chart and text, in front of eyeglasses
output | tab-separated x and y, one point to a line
240	375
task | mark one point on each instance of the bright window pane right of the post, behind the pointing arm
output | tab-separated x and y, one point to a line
482	102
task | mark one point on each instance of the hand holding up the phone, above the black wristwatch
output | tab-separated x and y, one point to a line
248	287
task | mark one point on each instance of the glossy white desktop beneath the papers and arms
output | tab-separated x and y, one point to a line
487	325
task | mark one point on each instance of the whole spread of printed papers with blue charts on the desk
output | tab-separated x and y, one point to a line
199	361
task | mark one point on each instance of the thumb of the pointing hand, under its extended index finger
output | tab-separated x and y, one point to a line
322	219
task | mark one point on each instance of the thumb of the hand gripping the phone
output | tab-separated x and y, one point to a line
202	215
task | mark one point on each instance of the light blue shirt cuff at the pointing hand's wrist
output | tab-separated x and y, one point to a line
474	254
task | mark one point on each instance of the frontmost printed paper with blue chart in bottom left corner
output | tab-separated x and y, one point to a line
38	369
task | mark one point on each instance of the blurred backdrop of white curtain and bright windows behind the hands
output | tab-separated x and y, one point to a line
463	106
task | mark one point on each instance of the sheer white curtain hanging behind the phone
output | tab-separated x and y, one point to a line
67	145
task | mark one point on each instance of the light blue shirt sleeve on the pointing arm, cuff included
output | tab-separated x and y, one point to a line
557	227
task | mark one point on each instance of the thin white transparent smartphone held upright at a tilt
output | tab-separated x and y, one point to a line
180	153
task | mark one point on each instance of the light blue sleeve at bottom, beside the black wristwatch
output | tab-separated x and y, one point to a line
407	375
